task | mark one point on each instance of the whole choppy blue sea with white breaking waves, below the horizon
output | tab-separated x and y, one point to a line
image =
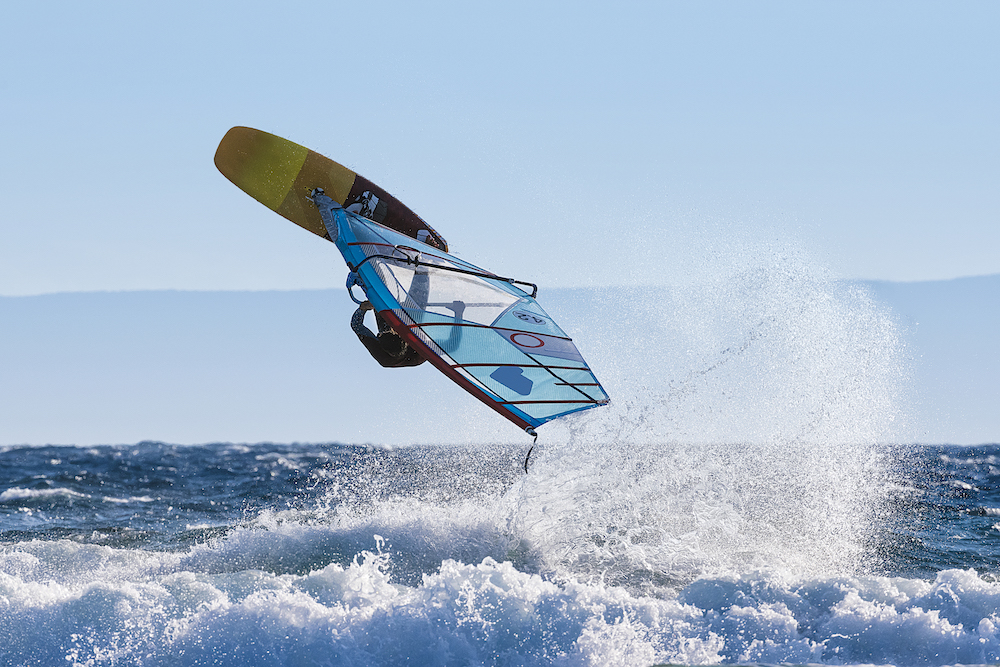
273	554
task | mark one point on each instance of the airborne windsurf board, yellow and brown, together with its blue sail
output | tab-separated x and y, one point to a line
484	331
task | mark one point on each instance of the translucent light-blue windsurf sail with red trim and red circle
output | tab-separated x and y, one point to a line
483	331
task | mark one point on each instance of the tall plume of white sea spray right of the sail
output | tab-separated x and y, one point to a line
747	431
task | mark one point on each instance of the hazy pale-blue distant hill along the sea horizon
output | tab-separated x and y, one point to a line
184	367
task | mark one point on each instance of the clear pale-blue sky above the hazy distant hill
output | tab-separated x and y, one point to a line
569	144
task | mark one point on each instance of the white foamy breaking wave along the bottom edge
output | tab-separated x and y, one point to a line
150	608
